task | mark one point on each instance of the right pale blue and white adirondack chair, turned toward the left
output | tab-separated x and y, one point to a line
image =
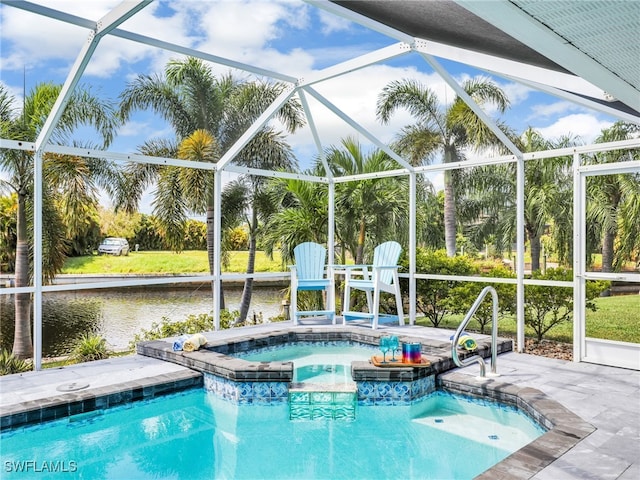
381	276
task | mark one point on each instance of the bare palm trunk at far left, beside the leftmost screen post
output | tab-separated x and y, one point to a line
22	343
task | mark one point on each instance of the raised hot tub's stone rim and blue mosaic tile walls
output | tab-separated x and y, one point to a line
244	381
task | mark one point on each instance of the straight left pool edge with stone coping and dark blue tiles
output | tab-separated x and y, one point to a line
99	398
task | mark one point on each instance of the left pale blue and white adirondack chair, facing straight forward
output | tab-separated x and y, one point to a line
311	273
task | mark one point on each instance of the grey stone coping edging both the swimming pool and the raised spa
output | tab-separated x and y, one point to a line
565	429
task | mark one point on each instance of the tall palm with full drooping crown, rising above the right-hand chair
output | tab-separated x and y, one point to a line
447	130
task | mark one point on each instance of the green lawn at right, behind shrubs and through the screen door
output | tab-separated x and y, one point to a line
616	318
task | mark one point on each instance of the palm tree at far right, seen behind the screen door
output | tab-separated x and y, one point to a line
613	205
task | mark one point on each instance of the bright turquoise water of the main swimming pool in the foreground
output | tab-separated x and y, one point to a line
197	435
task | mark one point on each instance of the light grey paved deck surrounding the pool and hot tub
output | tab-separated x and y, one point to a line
608	398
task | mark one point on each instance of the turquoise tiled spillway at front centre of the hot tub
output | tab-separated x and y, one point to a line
308	401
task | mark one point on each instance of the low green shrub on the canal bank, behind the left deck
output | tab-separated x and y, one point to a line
192	324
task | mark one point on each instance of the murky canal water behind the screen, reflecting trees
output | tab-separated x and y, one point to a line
117	315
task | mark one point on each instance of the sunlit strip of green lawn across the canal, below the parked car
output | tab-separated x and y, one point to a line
165	262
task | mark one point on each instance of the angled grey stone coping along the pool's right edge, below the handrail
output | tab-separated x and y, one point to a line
564	428
